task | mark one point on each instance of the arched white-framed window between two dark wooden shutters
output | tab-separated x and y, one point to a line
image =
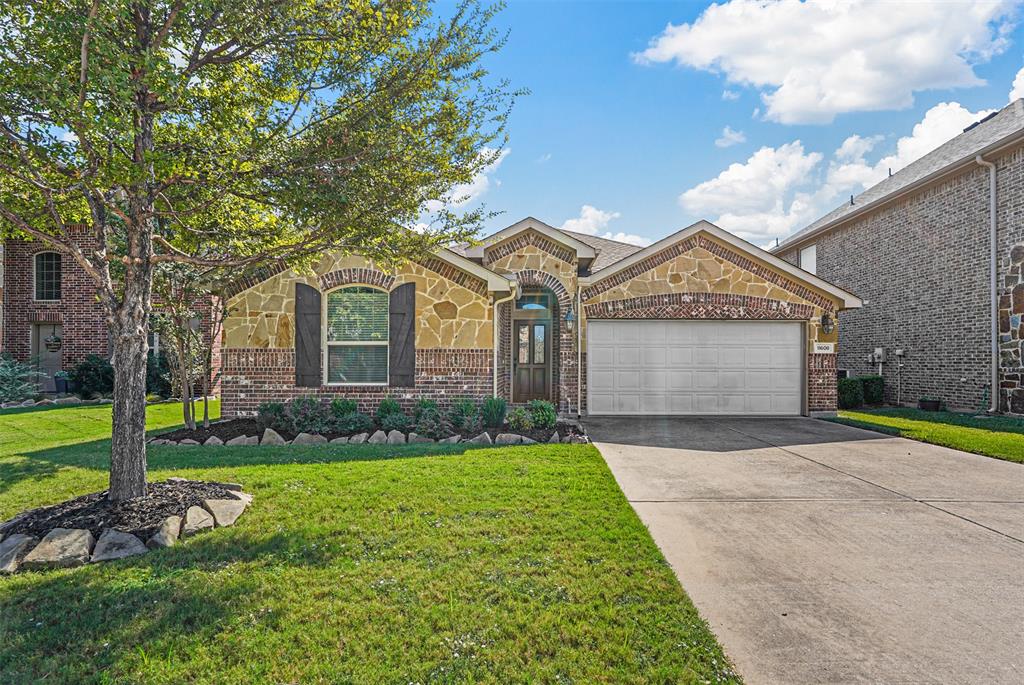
357	329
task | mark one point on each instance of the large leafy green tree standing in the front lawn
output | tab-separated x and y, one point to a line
235	135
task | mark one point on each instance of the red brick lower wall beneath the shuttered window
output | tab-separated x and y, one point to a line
253	376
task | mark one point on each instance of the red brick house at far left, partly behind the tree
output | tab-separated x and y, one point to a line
51	313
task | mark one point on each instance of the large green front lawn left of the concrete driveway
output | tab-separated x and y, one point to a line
355	565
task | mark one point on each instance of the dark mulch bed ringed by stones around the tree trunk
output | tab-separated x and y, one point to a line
141	517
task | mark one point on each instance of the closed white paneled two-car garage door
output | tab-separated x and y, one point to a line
689	367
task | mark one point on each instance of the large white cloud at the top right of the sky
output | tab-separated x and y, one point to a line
815	60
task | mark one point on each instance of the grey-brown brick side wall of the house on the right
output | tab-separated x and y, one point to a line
922	266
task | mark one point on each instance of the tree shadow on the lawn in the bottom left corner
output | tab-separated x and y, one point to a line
77	625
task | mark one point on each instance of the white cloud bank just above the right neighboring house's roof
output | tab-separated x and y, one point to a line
781	190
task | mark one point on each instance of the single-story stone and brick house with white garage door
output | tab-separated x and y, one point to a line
698	323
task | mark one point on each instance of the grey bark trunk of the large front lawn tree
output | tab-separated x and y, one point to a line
129	439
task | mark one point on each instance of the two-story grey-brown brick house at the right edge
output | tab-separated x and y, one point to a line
940	271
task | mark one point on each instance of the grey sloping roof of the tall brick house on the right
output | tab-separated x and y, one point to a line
998	131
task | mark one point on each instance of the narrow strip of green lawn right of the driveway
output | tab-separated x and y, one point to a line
1002	438
